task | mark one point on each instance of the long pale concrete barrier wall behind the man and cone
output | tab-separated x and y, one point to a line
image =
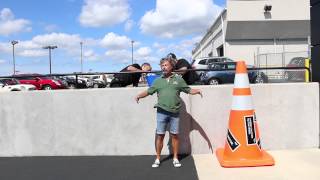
110	122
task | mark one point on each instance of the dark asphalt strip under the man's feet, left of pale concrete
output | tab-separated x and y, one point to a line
95	168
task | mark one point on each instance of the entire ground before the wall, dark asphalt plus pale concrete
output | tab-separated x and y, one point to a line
289	165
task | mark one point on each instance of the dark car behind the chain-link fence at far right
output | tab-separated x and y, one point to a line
296	74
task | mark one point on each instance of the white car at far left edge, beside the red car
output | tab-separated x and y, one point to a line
11	84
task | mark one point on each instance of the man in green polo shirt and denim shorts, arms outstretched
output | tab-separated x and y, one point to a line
168	88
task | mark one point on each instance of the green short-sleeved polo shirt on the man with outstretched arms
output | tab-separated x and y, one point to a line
168	91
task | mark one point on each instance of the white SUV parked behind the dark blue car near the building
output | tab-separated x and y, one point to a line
203	63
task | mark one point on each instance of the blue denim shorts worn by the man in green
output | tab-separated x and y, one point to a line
164	118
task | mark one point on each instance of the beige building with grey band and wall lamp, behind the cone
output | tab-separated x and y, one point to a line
249	28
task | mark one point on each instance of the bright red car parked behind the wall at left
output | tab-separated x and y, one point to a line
41	83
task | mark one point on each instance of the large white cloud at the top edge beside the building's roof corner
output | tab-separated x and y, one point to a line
173	18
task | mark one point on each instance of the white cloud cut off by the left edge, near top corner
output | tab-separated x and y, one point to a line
10	25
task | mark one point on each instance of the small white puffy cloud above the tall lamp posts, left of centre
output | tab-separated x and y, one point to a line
114	41
